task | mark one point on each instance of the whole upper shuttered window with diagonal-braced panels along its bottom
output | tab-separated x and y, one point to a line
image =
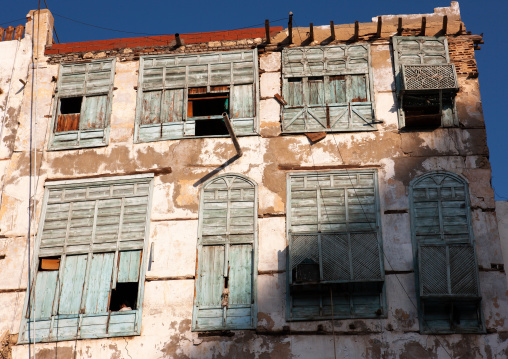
327	89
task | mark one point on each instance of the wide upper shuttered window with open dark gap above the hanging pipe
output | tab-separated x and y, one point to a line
185	95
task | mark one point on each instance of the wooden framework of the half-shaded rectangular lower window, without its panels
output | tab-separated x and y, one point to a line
346	287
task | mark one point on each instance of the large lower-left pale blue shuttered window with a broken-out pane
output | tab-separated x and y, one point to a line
87	279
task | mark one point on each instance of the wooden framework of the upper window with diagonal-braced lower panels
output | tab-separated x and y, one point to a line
328	116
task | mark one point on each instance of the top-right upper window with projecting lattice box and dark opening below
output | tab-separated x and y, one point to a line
426	82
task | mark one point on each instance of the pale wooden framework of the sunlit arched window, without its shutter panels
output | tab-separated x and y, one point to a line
227	243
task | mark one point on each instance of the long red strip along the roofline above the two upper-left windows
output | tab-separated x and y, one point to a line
159	41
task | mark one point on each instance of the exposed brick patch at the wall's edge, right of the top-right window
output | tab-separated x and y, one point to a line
461	50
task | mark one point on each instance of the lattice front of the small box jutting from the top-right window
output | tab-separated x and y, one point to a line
429	77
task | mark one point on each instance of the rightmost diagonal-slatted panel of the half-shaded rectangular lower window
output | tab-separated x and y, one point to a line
365	257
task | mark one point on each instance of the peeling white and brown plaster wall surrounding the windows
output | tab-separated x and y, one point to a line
181	166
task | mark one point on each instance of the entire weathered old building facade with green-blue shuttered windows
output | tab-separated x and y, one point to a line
353	217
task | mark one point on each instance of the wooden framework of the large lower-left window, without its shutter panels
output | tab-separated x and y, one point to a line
119	249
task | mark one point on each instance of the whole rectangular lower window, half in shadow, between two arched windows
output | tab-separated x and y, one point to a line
335	262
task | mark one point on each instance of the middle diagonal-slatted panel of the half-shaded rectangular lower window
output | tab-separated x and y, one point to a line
335	257
